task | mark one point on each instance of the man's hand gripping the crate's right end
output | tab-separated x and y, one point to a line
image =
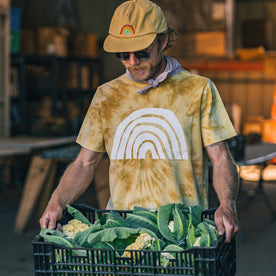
227	222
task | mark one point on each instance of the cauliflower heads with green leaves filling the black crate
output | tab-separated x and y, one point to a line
172	227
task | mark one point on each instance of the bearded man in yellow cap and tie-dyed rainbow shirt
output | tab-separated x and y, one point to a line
157	123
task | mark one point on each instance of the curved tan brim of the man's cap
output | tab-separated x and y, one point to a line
115	44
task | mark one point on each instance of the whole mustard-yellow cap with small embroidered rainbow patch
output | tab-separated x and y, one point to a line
134	26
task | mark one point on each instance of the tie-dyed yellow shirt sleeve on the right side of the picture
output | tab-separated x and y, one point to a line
216	125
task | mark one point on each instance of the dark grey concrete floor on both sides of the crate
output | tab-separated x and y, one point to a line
256	241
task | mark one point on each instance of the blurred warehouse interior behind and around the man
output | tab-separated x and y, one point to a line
52	61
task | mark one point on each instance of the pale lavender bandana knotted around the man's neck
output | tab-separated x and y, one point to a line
173	67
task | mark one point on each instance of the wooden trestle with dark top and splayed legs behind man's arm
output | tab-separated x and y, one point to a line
41	180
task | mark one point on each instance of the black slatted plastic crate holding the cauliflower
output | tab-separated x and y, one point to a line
52	259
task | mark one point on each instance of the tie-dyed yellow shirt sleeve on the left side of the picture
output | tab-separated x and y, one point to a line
91	133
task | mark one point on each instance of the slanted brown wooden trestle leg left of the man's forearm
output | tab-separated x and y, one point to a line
37	174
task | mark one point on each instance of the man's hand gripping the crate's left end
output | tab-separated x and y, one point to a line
51	215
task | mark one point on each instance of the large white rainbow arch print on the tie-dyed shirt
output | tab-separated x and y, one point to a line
150	129
